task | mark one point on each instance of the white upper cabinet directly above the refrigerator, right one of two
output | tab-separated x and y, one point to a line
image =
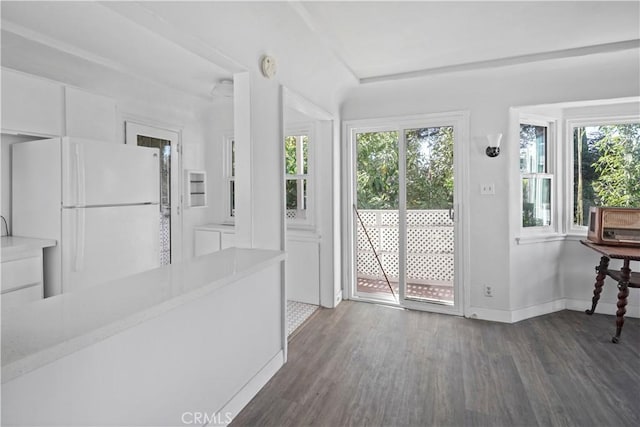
89	115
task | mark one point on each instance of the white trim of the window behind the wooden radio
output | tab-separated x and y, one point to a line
574	230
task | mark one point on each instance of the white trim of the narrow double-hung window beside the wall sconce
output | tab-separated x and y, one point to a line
535	233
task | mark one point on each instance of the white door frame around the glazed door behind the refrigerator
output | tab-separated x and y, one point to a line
134	128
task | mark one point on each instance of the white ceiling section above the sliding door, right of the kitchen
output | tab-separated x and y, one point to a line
382	39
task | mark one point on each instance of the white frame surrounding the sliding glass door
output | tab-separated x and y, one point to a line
460	122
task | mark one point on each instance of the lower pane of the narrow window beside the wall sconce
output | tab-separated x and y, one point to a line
536	202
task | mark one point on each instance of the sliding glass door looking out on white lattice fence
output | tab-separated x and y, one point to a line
403	216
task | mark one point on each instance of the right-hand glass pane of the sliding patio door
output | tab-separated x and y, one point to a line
430	228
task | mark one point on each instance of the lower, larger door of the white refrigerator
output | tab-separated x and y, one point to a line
100	244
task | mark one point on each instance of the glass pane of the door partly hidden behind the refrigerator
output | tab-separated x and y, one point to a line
165	193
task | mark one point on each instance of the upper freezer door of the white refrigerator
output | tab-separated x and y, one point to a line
101	173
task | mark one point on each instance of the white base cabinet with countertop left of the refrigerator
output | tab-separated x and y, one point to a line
22	270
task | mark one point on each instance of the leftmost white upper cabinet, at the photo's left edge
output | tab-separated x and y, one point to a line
30	105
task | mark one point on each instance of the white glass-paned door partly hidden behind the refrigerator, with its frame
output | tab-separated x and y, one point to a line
166	141
